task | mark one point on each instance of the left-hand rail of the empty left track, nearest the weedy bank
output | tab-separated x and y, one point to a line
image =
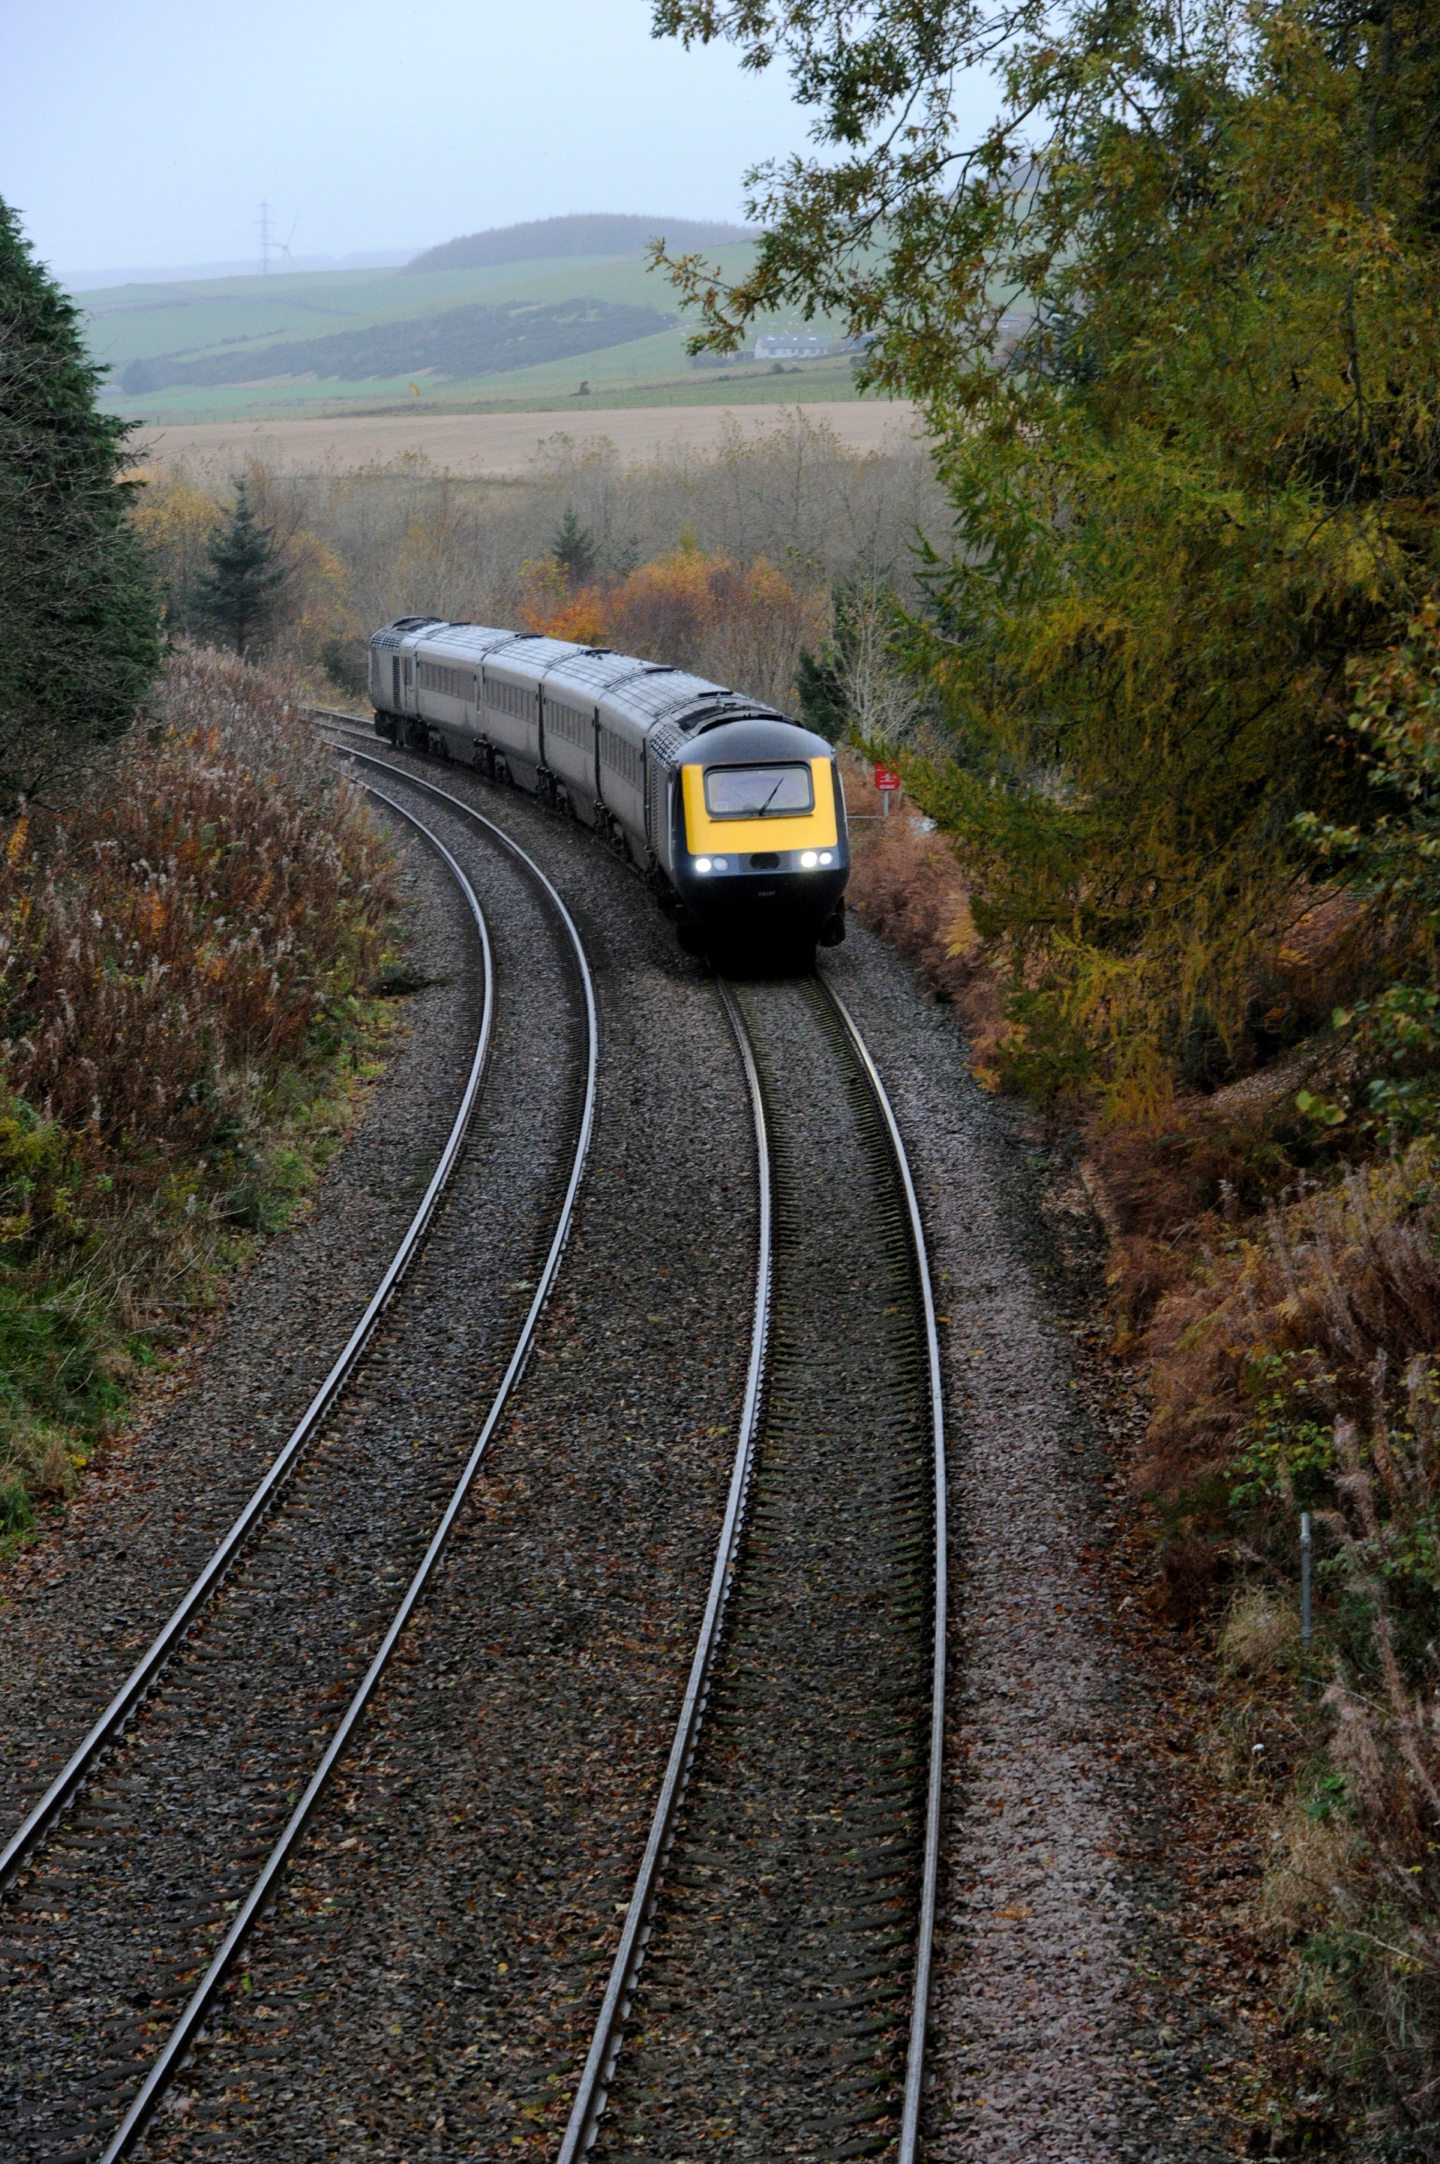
205	1587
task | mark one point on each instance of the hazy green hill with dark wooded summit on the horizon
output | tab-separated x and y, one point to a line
506	332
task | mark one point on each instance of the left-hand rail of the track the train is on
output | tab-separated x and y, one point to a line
633	1940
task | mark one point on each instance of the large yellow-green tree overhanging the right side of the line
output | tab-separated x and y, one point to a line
1201	488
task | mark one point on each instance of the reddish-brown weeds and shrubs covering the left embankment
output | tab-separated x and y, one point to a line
183	958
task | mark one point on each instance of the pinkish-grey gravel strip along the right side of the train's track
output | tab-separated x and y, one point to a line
1071	2020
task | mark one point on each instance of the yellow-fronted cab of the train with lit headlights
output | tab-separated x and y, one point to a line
761	852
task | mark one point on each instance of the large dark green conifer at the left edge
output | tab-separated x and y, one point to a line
79	624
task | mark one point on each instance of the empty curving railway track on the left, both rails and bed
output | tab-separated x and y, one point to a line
135	1882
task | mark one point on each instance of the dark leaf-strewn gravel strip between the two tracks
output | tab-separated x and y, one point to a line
432	1975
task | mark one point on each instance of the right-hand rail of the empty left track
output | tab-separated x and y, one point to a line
187	2029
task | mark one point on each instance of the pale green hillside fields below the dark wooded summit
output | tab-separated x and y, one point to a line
235	324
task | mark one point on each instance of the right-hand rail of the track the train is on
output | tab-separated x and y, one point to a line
934	1804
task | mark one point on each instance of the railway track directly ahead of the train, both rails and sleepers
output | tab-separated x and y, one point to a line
770	1990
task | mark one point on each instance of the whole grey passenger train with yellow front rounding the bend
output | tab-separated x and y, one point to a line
731	813
